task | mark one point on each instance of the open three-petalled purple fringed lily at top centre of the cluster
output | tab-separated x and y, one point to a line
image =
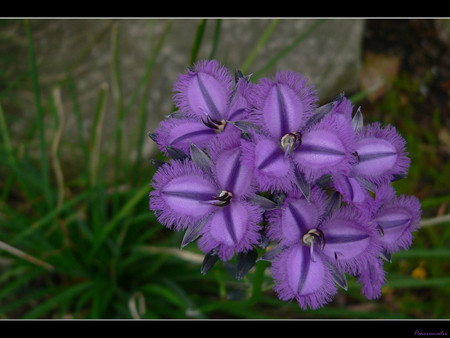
294	146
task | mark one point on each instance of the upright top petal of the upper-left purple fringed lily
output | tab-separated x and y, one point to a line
204	90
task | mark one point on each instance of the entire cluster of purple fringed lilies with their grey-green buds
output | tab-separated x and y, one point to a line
261	167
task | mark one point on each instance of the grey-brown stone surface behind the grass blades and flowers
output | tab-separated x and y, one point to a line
330	57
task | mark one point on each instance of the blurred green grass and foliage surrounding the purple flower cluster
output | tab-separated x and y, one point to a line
86	245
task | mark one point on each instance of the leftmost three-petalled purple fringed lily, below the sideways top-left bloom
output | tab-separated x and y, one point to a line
208	198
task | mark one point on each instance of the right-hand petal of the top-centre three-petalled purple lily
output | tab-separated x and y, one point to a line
325	148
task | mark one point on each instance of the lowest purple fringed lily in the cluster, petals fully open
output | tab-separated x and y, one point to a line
318	245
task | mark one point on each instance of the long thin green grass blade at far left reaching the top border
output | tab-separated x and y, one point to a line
40	117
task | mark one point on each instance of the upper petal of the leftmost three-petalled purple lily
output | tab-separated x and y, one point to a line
231	174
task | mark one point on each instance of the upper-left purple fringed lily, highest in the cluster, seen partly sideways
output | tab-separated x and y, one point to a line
209	102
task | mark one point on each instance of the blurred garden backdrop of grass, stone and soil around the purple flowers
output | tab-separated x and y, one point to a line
77	99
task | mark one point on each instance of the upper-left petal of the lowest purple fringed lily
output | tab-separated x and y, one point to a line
296	217
